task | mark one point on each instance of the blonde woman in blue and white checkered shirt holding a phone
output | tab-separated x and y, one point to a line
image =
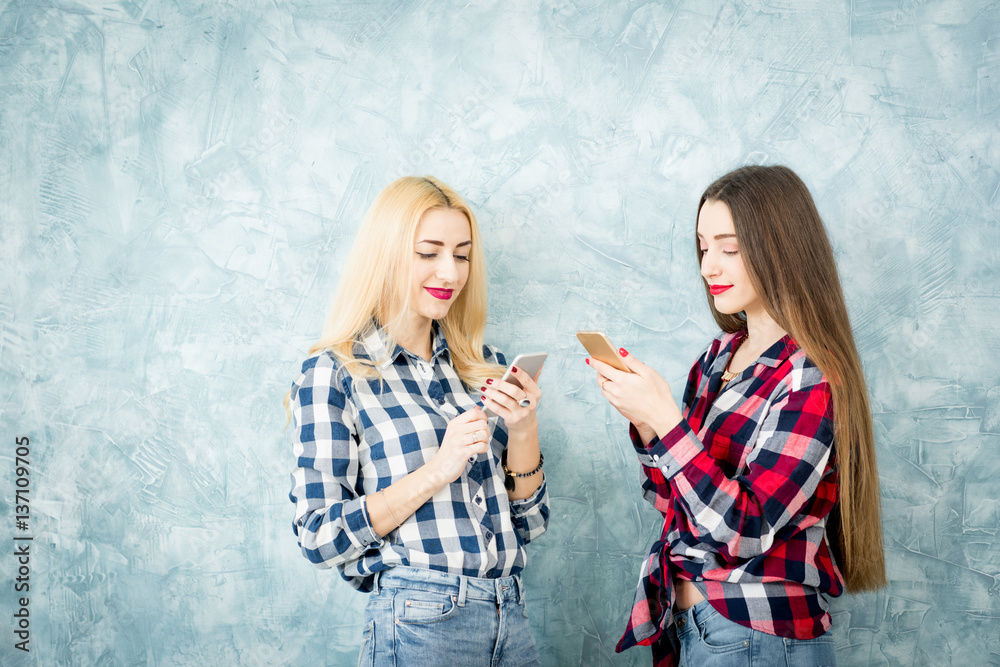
400	476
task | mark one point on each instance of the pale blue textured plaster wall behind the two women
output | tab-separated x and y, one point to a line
179	181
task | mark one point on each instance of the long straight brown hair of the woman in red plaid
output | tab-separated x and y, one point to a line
789	262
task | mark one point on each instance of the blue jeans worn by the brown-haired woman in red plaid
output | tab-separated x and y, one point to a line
709	639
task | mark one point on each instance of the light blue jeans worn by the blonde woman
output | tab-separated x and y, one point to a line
422	617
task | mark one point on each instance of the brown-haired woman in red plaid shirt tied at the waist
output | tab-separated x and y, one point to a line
766	476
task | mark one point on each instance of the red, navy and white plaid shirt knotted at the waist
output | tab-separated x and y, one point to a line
745	484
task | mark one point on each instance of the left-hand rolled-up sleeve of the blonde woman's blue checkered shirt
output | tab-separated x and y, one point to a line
331	519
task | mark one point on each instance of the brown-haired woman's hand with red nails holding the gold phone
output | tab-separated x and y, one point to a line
642	396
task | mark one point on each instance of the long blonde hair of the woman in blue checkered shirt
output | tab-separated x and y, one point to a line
374	287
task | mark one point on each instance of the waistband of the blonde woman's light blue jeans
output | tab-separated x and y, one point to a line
462	587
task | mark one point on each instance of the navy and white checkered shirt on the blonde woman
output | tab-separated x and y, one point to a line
354	437
